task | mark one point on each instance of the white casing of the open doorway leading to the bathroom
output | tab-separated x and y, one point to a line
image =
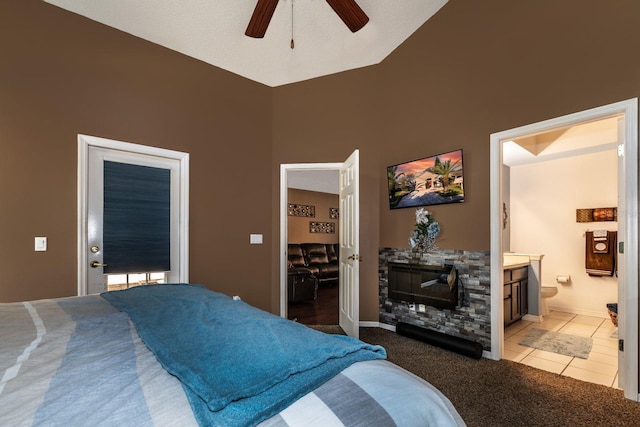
626	149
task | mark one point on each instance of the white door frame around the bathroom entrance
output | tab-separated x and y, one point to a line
628	109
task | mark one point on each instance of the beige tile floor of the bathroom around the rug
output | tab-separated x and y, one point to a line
601	367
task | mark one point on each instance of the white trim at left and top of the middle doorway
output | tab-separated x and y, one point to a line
284	212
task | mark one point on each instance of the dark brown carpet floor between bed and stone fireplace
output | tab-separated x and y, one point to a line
504	393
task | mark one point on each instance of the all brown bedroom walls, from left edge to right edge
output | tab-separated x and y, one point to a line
473	69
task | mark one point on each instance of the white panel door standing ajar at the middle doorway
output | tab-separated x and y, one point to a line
350	246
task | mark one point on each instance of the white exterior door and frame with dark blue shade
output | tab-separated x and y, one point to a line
93	153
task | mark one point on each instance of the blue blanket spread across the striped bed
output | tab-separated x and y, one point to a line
239	365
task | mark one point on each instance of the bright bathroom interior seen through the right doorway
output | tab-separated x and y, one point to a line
546	178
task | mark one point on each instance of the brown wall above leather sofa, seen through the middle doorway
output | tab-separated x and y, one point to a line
298	227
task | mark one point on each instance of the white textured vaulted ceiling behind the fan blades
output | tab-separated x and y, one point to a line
213	31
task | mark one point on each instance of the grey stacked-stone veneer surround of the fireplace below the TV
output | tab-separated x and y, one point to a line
470	320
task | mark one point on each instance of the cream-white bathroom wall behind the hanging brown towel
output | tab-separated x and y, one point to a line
544	197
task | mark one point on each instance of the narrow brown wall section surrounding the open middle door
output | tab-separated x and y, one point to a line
339	115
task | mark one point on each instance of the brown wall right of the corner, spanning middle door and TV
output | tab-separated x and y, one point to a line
473	69
